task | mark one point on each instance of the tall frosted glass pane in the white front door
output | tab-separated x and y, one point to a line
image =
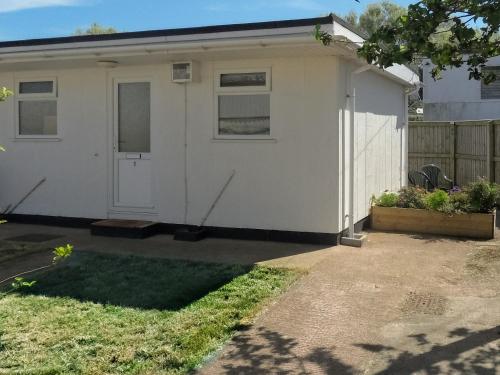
134	117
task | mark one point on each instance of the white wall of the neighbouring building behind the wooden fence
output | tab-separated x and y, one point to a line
456	98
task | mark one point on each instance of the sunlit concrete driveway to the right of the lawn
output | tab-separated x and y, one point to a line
401	305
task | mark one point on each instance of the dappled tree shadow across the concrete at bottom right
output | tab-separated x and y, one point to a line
262	351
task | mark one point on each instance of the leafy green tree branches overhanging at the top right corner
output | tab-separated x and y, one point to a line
471	28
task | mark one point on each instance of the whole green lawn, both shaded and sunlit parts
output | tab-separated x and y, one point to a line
101	314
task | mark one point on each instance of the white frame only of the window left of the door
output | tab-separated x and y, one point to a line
52	96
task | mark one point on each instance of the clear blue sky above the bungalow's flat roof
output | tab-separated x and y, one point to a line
24	19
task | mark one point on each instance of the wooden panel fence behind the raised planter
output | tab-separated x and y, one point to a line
465	150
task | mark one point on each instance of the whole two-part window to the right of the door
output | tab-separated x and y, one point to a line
243	104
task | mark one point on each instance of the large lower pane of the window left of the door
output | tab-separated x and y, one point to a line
38	117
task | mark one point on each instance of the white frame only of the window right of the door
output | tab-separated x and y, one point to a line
241	90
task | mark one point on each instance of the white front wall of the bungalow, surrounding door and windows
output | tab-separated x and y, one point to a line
291	183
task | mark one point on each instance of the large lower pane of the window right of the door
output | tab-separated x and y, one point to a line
244	114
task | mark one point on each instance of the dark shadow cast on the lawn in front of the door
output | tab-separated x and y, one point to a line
137	282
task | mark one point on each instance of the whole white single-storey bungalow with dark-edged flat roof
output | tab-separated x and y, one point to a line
150	125
